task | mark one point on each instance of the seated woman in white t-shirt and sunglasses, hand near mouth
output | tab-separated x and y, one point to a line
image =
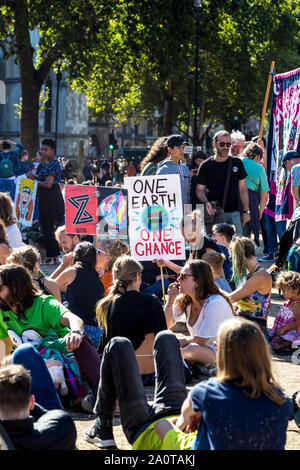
198	301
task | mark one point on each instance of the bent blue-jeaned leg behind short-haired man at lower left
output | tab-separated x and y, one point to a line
42	386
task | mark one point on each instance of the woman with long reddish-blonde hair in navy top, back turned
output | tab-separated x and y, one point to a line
243	407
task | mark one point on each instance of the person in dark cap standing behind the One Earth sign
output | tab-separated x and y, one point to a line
173	165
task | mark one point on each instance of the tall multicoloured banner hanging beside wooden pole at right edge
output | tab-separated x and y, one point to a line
283	136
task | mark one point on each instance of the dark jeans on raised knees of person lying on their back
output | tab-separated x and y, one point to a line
120	379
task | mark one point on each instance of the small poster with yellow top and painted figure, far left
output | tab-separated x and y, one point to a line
24	201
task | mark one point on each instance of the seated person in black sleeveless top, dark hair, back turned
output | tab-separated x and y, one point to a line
83	288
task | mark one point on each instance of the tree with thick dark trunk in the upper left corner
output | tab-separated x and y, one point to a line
67	29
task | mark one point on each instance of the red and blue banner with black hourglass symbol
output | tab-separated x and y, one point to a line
96	210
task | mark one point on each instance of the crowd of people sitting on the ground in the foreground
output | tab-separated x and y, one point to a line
129	334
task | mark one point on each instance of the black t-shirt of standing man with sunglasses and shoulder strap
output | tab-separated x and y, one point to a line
213	175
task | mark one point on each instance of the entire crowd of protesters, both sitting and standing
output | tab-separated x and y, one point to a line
92	334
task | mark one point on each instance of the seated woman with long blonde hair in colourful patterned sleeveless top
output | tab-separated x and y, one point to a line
253	283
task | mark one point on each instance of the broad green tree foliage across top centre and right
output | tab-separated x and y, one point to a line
149	61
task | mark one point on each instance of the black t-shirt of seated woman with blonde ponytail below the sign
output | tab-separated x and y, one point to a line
133	315
